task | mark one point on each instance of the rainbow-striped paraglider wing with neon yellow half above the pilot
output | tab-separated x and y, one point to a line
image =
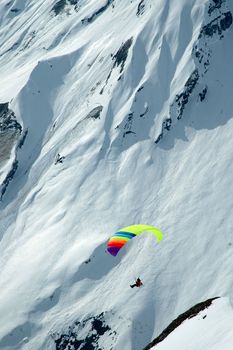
120	238
